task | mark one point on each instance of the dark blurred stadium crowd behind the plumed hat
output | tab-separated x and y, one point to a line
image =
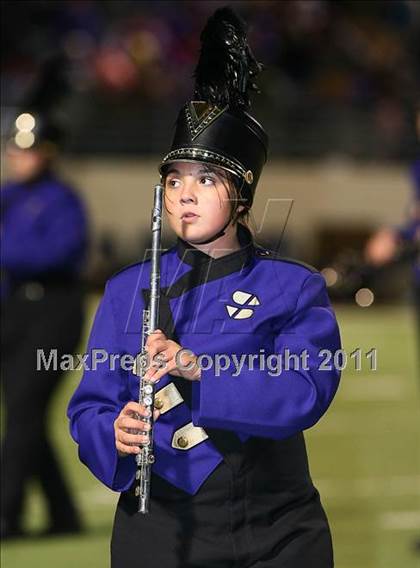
339	78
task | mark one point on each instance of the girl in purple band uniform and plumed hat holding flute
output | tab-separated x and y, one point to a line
231	484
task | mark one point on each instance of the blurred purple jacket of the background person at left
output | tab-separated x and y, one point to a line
44	231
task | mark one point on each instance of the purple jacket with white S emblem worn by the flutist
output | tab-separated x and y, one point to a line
248	302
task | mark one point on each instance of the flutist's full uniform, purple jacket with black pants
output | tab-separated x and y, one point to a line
231	483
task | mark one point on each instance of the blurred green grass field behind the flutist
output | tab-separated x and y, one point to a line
364	455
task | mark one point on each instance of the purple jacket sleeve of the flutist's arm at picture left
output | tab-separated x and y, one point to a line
102	393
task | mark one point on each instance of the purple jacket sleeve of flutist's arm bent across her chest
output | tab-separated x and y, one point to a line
259	404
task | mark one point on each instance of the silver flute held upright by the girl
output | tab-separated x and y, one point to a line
145	457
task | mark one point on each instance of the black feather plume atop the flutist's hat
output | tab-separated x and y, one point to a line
227	68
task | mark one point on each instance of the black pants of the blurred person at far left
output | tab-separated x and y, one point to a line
35	317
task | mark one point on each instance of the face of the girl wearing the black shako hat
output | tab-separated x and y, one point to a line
197	201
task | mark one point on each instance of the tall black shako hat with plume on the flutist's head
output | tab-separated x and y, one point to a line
215	127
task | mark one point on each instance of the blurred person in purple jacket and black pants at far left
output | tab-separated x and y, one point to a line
44	240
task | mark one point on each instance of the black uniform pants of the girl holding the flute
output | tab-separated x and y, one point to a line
227	524
